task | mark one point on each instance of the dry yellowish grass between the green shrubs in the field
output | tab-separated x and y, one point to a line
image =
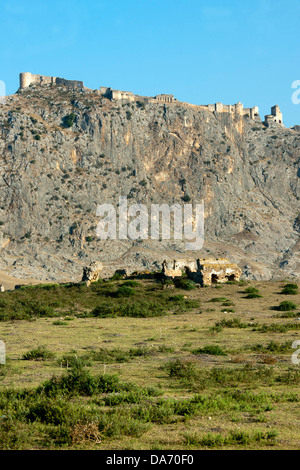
169	338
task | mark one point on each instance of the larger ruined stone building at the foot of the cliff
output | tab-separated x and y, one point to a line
203	271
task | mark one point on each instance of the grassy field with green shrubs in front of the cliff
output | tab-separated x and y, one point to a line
136	364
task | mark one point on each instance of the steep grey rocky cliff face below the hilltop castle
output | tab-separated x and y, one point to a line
64	152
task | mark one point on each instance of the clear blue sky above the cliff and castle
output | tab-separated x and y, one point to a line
202	51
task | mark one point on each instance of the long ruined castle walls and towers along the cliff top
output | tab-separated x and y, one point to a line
28	79
